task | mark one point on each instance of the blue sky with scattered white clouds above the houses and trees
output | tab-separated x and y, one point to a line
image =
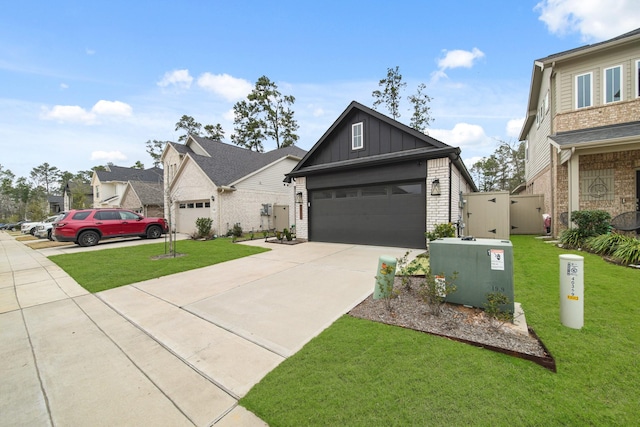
83	83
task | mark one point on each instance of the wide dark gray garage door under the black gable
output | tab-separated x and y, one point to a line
385	215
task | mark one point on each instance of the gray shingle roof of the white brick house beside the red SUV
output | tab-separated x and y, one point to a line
229	163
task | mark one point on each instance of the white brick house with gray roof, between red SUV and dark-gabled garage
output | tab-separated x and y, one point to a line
227	183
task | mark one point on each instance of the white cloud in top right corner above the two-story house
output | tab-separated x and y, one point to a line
593	19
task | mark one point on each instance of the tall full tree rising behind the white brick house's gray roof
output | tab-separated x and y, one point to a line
265	114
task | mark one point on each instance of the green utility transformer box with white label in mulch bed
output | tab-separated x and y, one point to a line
483	266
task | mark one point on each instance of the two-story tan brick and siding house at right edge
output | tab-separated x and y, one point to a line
582	129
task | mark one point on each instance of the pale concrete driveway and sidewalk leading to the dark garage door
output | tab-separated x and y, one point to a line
177	350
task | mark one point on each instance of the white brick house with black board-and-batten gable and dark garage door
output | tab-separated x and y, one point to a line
372	180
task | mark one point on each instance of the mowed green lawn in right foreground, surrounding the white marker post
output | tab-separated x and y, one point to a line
361	373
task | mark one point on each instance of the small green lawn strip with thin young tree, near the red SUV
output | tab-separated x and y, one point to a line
109	268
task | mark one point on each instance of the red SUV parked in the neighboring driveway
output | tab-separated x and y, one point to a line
87	227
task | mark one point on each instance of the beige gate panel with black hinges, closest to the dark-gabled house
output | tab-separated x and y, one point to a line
486	215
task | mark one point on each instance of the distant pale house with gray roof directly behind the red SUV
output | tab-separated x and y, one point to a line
109	185
